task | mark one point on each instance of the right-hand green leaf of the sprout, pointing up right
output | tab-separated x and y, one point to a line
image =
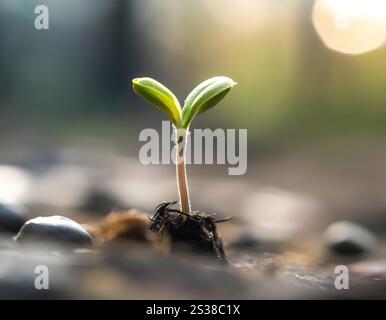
205	96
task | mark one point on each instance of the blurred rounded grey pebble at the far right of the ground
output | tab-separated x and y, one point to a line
349	238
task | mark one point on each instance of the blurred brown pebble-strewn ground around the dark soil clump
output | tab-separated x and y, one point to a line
280	243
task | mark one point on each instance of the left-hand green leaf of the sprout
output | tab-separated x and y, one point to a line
160	96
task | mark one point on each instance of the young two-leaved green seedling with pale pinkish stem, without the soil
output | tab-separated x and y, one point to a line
205	96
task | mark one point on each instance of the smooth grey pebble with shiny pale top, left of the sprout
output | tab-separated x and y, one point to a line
57	229
